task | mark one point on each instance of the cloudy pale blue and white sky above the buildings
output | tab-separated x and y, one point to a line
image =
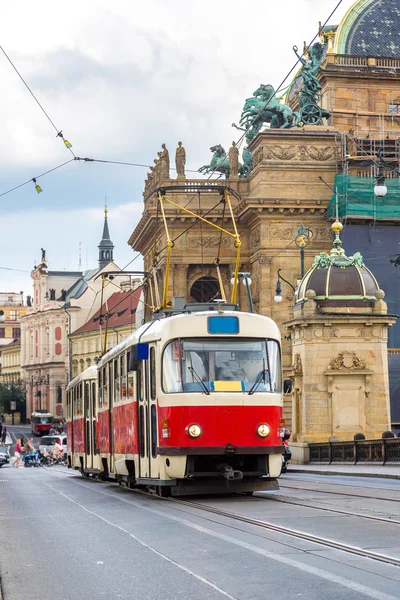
120	79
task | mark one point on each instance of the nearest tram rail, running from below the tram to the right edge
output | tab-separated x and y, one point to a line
327	543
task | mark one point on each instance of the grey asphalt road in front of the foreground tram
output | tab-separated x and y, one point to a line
72	538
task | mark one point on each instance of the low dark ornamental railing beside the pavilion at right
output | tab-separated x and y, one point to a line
361	451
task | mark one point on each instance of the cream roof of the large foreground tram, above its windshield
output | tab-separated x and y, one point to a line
152	330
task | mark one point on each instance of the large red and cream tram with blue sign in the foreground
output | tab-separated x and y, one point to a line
188	403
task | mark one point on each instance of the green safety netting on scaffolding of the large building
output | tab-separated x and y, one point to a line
356	198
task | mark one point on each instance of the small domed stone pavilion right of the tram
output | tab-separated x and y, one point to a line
339	333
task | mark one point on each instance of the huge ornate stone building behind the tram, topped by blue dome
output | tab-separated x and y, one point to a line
290	188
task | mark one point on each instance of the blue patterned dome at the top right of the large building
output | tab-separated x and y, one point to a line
370	28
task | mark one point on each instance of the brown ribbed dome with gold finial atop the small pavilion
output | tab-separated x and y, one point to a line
337	278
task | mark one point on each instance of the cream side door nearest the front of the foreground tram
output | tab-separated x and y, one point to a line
147	417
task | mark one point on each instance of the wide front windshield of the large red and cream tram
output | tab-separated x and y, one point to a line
219	365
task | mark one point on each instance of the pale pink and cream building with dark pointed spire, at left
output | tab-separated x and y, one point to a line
62	302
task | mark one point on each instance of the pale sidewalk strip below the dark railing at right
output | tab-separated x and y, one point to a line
358	470
